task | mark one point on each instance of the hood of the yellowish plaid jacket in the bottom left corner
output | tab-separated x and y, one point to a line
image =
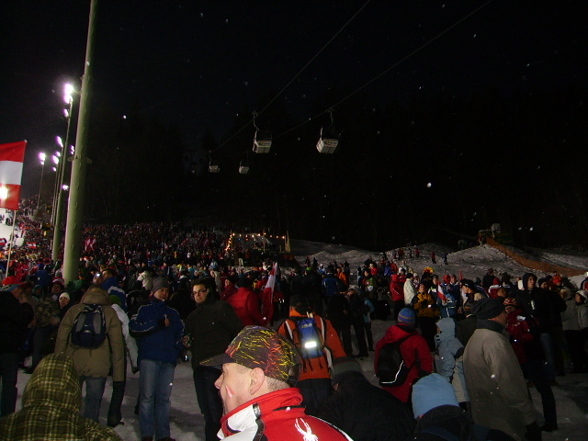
54	383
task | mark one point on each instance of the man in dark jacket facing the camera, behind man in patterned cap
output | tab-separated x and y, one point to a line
209	330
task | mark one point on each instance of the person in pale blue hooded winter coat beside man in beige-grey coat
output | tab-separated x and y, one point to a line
449	359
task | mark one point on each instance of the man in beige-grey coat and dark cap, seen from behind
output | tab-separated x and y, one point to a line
498	391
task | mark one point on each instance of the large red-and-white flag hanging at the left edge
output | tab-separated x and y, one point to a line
11	159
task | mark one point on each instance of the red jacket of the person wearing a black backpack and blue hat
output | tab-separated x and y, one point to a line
415	353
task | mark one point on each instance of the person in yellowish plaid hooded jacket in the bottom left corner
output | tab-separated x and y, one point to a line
51	405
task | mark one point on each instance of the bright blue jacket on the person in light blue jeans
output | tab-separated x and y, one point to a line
155	341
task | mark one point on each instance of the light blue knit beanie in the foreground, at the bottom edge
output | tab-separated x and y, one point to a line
432	391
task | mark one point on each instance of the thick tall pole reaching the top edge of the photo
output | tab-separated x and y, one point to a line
75	212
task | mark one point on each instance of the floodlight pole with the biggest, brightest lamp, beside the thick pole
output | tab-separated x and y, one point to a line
68	92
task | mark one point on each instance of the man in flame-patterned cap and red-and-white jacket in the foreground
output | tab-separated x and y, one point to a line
258	368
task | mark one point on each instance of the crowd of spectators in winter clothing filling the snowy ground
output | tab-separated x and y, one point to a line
172	293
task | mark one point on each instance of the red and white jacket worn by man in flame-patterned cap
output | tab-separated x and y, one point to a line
278	415
